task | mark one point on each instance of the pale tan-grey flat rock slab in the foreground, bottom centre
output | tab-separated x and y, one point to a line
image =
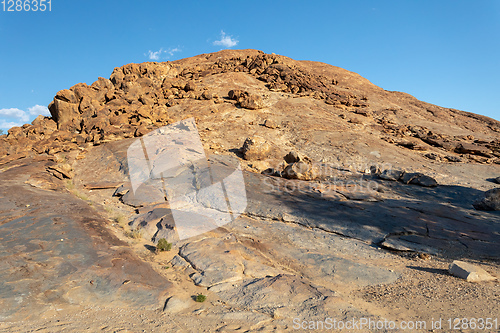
257	249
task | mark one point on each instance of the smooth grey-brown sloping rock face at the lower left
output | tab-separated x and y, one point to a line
54	250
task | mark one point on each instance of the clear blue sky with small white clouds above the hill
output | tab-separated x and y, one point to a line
442	52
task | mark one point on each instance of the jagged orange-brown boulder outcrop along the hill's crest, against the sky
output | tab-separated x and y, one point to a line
140	97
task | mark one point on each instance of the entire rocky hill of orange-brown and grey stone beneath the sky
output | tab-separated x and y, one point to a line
358	199
